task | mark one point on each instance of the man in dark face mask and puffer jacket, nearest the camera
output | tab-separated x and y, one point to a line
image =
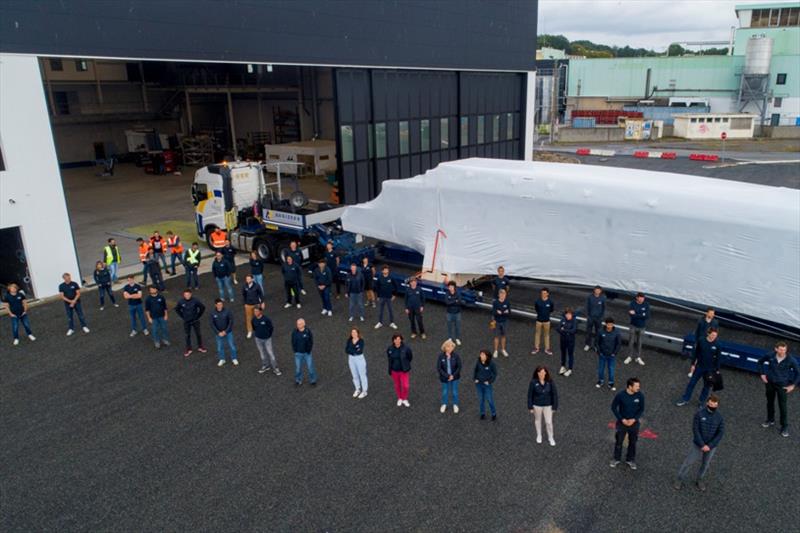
708	427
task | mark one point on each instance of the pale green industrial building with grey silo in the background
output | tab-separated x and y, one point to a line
760	75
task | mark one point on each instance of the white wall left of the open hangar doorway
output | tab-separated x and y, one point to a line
31	193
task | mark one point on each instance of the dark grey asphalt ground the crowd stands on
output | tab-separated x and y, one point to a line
103	432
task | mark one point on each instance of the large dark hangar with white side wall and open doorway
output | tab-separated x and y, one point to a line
396	87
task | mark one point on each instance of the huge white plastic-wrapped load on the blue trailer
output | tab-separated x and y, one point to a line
726	244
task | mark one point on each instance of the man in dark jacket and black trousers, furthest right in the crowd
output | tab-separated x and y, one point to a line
780	374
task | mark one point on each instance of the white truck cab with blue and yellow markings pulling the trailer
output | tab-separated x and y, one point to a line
237	197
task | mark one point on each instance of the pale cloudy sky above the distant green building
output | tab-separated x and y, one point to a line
652	24
